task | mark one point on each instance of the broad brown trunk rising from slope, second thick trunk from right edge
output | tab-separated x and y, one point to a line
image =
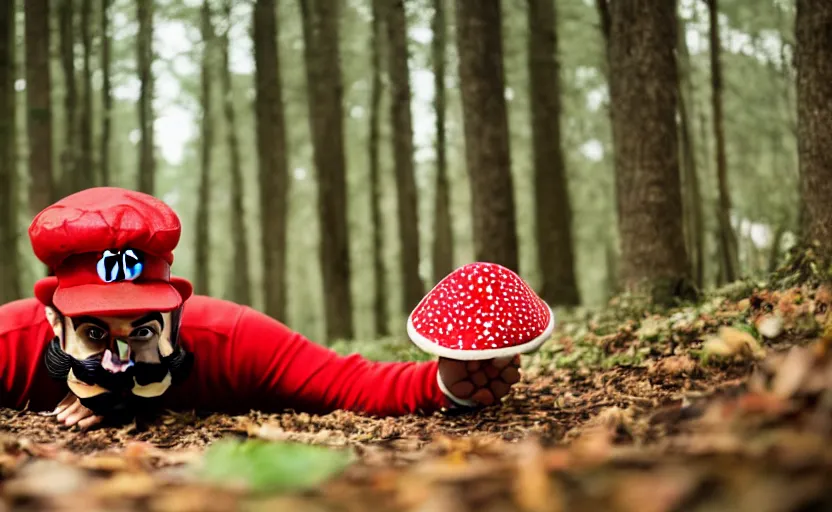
642	64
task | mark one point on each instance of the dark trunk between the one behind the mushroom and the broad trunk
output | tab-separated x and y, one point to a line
553	212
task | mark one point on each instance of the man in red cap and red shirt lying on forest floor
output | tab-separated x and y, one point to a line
111	334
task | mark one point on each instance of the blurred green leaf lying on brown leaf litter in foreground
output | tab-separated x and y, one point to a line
264	466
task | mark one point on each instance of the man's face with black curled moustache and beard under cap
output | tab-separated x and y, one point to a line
117	362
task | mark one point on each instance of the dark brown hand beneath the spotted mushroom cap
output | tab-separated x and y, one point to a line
481	382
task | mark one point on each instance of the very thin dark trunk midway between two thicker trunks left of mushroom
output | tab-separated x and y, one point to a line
380	279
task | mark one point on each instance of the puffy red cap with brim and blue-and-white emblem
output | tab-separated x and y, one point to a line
111	250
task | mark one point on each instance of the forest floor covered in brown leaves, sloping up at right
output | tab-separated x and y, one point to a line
724	405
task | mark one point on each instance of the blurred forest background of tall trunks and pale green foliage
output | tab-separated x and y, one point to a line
331	160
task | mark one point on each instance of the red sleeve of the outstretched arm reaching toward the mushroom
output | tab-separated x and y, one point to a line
272	364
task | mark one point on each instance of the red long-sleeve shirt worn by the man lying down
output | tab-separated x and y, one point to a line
243	360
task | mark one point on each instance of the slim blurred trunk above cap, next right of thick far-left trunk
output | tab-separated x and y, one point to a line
70	180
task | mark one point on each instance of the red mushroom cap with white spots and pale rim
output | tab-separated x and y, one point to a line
480	311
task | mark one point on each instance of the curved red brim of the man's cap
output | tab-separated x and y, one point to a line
114	299
